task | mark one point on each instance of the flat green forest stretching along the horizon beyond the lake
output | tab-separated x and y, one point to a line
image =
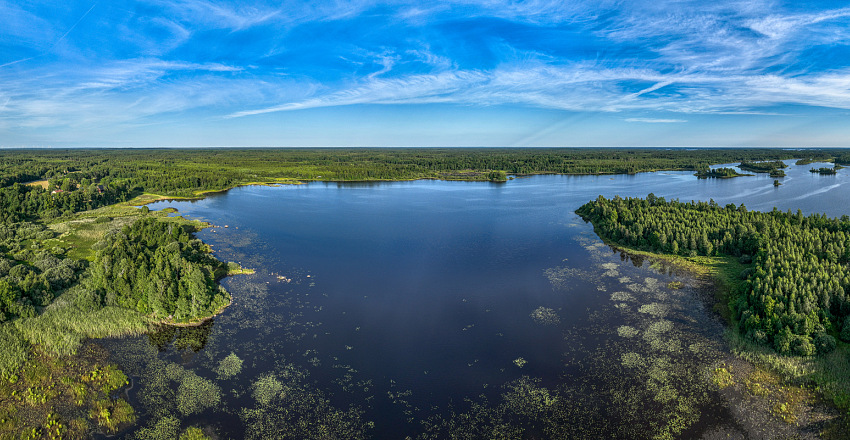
183	172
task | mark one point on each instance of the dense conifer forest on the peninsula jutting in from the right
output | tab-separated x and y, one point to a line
794	296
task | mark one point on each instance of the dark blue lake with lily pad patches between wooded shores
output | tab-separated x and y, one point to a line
427	309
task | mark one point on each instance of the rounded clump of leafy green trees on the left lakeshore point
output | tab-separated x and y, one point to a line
158	269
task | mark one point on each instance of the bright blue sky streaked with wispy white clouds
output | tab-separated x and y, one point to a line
450	73
